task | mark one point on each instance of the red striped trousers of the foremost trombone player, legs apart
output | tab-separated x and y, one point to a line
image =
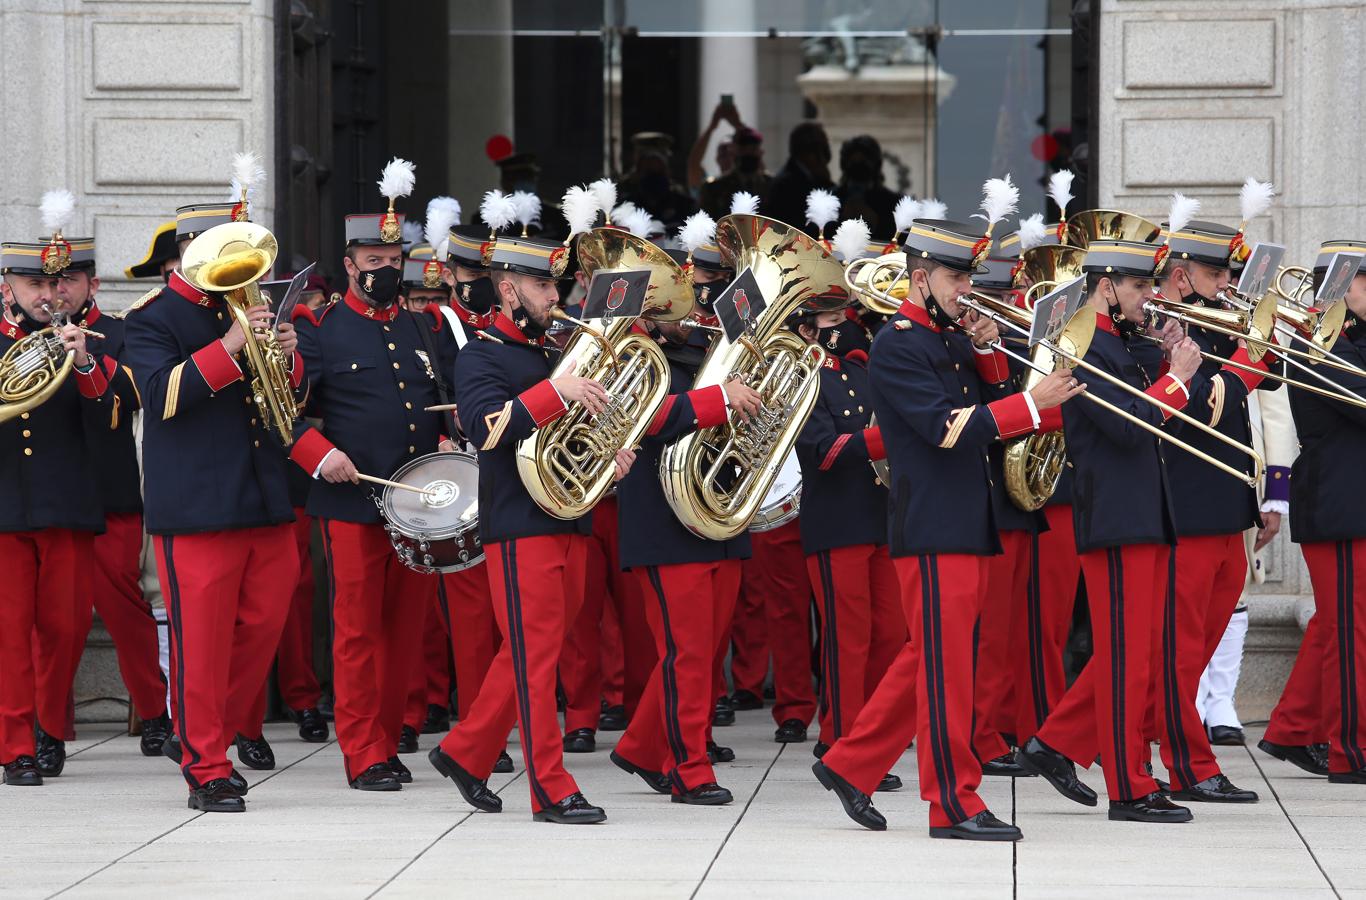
928	692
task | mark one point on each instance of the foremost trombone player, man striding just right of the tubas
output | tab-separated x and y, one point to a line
931	380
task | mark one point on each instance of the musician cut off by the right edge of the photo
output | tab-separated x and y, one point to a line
1324	696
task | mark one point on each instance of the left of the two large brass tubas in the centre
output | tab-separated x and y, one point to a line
569	465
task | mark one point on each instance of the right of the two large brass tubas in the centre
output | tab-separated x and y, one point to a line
715	480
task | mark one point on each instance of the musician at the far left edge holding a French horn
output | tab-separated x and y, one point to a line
47	525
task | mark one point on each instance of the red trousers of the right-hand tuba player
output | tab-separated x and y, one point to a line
669	731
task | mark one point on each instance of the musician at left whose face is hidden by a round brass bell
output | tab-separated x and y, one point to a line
227	559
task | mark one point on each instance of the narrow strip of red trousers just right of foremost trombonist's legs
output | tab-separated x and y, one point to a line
999	645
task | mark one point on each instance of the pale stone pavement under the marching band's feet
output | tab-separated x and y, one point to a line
115	826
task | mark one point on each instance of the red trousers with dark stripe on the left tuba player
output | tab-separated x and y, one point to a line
538	588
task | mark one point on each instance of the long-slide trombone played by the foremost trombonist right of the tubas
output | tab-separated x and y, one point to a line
1073	345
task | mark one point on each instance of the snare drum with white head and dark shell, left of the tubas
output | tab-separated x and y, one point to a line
439	531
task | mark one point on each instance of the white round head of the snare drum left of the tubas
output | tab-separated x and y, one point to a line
451	503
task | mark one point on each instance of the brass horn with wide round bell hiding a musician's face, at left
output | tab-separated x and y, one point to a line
232	260
